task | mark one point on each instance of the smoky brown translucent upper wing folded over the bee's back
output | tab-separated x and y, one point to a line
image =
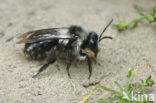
39	34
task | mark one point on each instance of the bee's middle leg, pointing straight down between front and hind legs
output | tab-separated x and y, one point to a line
69	62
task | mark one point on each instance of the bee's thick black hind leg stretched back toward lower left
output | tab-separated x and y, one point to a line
51	59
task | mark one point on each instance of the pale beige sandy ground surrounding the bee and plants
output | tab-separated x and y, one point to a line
131	49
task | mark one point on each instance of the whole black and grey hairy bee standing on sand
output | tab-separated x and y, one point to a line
70	41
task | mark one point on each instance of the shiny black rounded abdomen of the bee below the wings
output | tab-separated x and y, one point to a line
38	50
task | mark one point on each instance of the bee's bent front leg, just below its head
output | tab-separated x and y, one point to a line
89	63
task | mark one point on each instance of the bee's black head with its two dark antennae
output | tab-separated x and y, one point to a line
94	40
